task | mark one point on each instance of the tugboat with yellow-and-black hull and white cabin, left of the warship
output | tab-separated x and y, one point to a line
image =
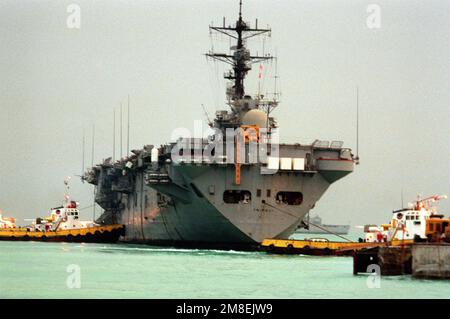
62	225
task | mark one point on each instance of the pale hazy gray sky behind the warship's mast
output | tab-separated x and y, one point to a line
56	81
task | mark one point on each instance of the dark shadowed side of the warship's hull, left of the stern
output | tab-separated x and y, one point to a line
175	222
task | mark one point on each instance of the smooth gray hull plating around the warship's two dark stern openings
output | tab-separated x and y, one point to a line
207	219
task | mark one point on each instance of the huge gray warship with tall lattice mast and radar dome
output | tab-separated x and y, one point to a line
230	190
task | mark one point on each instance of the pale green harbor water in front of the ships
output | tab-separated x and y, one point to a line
39	270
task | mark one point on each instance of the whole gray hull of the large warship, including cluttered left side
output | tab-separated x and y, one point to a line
187	206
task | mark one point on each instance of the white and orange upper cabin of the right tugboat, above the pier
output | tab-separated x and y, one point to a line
420	222
